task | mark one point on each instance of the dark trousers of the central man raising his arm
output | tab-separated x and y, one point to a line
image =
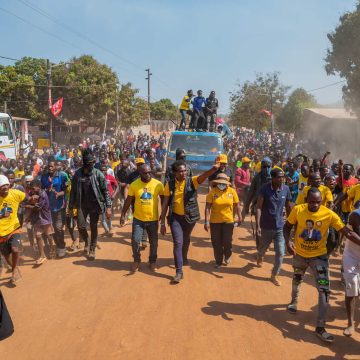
181	231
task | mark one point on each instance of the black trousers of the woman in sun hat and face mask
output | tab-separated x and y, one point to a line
221	239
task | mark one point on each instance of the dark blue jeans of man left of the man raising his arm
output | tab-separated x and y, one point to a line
138	229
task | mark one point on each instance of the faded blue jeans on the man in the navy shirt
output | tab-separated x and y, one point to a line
267	236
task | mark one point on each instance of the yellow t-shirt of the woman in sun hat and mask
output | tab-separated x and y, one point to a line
222	208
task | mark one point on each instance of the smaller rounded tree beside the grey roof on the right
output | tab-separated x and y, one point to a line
291	116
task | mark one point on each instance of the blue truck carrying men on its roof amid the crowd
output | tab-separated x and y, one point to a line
201	149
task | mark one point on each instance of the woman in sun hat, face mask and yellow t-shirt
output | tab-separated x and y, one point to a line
222	203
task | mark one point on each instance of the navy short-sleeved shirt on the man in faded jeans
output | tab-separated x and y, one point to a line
273	206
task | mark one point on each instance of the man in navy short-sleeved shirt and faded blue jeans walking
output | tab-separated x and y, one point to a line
272	200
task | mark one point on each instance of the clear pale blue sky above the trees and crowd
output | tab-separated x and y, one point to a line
208	45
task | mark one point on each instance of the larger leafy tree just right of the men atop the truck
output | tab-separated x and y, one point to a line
248	99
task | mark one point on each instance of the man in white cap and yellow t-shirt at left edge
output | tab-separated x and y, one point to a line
9	225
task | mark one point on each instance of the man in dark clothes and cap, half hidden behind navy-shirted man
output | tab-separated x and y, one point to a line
258	181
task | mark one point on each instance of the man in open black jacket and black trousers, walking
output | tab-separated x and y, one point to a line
90	195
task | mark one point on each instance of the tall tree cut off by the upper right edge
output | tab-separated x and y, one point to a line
344	56
